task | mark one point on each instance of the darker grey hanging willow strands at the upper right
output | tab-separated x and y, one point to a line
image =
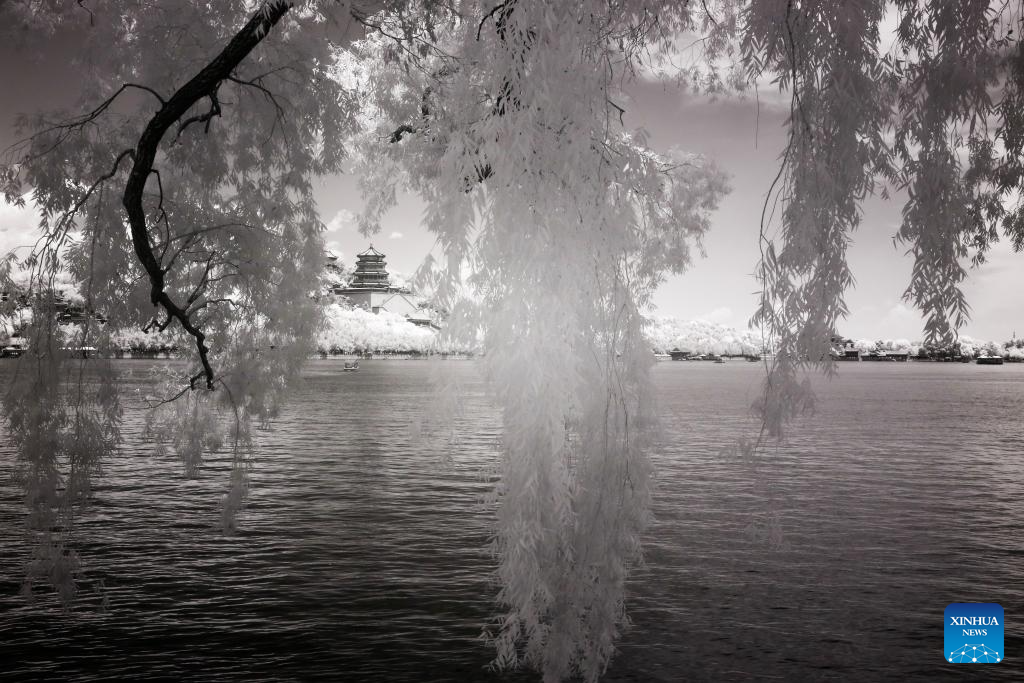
931	114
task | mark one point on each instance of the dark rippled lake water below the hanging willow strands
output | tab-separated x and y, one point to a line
359	558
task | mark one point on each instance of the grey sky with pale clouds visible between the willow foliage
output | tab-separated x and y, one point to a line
744	136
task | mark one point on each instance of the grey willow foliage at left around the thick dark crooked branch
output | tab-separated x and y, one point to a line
179	192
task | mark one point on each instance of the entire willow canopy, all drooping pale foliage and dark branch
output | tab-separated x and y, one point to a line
180	195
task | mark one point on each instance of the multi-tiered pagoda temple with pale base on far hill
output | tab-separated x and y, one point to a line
371	289
